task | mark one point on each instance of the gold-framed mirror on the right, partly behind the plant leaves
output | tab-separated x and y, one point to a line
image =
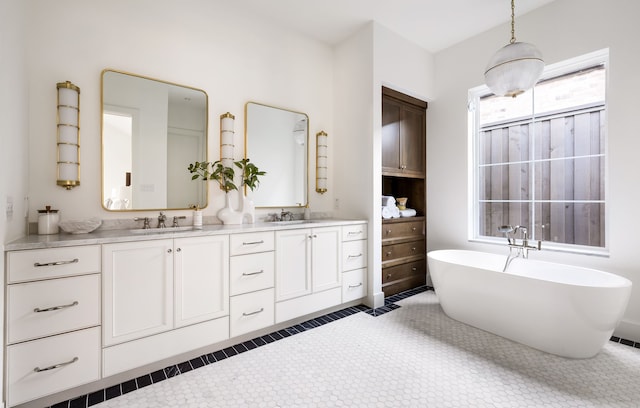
276	140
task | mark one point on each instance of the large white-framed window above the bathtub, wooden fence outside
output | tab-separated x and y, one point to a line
540	158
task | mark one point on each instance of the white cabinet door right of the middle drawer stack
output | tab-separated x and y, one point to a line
293	263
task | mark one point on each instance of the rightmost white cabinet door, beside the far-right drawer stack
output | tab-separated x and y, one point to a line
326	257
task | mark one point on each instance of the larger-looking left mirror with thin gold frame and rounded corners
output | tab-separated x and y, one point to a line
151	131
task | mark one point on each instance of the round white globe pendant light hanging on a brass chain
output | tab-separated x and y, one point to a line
515	68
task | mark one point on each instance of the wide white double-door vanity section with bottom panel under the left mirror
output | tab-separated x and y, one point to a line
162	298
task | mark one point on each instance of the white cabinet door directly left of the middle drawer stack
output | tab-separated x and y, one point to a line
201	267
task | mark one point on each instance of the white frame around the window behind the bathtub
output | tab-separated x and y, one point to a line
474	95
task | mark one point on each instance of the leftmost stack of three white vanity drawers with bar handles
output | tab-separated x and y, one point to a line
52	321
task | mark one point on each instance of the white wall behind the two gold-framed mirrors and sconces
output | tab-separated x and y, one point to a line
208	45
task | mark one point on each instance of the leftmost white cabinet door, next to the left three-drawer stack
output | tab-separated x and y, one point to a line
137	289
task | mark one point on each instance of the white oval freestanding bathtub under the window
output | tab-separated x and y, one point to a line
560	309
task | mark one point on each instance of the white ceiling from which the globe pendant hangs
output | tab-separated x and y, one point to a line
432	24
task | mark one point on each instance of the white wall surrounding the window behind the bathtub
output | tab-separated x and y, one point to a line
561	30
